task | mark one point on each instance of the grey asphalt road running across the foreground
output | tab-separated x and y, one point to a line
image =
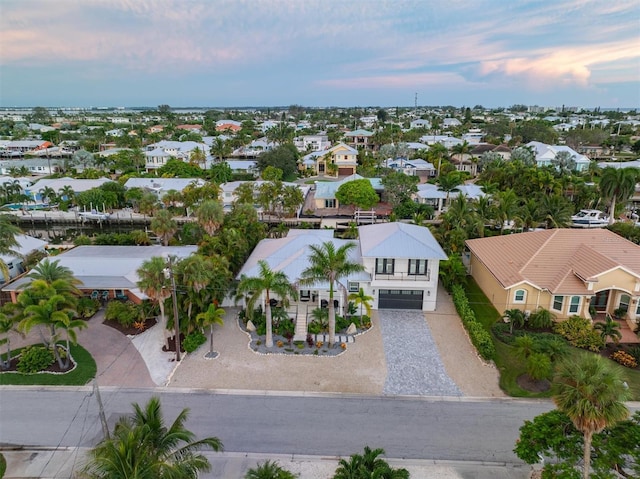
414	428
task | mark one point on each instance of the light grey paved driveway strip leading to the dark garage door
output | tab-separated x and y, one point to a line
413	361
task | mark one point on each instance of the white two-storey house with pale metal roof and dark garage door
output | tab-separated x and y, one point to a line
401	263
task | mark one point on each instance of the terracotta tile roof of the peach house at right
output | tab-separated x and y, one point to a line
559	260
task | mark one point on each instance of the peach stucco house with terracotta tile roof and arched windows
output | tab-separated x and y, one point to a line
566	271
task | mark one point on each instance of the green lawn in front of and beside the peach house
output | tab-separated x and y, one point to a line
510	366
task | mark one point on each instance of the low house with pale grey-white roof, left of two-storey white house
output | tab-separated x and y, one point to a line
107	268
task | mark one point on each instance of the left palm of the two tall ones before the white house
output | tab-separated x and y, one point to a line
267	282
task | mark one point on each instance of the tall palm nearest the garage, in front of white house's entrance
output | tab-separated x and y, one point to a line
326	263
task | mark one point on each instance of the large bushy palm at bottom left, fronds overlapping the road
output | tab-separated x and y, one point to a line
144	447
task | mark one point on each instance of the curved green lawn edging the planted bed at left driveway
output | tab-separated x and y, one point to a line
84	372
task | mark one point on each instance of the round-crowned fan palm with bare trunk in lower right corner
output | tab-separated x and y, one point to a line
592	394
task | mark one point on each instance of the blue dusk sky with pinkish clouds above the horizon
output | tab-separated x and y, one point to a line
319	52
